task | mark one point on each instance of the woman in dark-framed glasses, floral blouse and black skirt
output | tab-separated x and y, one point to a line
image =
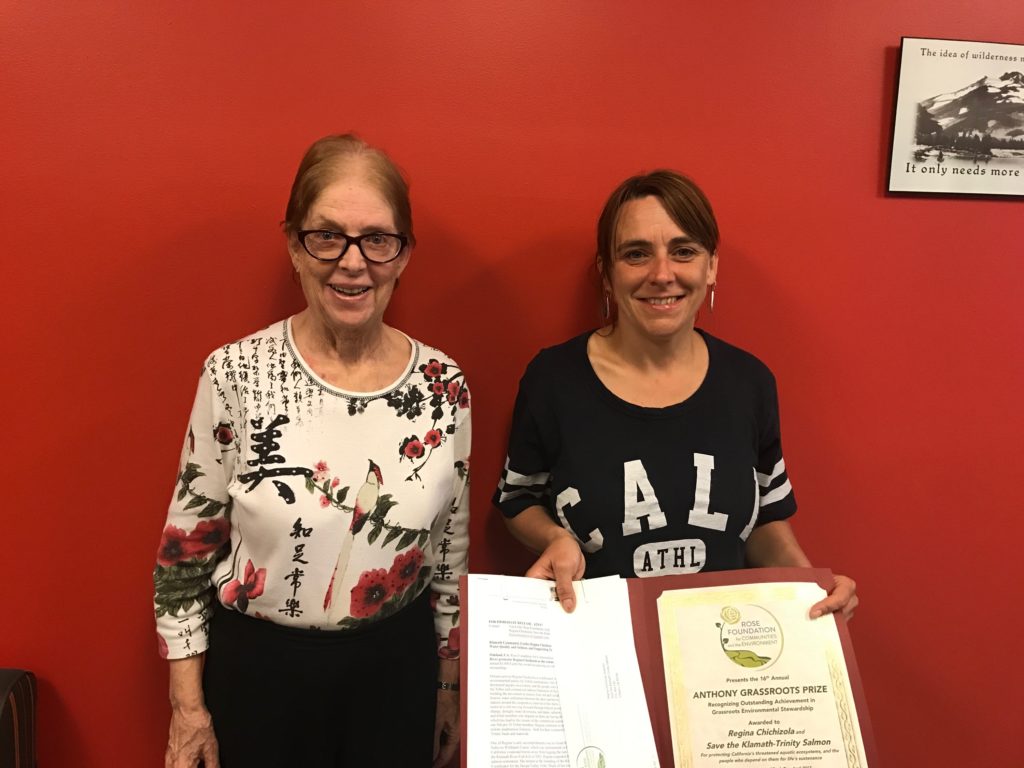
307	579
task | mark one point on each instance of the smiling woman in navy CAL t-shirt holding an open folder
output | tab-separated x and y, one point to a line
649	447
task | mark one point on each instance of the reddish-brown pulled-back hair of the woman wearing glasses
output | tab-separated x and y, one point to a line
320	167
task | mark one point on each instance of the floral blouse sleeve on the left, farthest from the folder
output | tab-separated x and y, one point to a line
197	532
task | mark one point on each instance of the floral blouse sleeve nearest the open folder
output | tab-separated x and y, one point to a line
450	538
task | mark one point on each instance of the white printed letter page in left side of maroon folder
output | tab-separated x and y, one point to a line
551	690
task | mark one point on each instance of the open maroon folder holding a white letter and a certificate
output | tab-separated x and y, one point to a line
723	669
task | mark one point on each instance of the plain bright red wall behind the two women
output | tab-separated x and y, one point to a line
146	154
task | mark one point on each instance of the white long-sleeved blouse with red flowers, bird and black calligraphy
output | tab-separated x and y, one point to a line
306	505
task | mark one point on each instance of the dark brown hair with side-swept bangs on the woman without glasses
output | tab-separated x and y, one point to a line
682	200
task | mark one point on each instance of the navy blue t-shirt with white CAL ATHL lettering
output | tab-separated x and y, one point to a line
649	491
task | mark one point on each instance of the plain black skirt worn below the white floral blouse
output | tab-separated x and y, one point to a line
283	697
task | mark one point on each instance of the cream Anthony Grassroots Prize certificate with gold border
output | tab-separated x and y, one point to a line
752	680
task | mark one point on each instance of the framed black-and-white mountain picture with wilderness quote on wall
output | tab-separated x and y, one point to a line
960	118
